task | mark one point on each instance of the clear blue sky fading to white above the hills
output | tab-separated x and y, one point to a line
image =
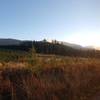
74	21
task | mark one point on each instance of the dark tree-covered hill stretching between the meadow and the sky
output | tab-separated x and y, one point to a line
45	47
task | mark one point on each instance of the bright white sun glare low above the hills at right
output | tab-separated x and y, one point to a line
85	39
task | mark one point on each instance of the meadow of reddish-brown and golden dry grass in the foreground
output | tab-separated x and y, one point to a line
31	76
